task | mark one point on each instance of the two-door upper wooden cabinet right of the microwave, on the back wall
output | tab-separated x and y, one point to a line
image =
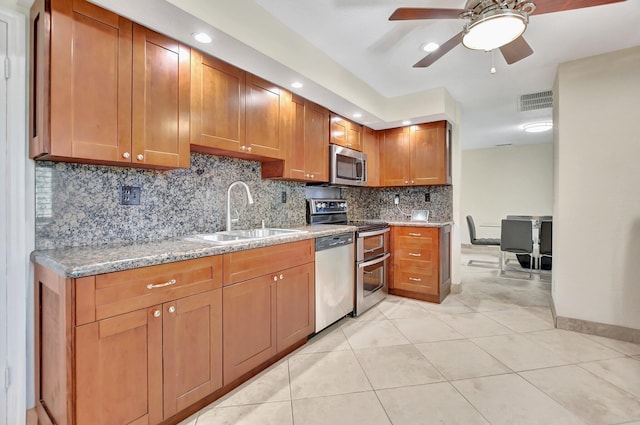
418	155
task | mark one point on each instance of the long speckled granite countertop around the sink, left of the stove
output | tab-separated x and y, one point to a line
85	261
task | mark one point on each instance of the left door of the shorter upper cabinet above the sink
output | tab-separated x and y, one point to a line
217	104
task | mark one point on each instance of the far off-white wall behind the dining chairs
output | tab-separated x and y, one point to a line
512	180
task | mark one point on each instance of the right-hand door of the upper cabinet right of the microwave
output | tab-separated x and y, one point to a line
428	154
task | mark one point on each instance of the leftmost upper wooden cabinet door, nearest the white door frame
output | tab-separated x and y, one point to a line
90	84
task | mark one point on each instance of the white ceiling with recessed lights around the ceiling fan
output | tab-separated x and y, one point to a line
352	59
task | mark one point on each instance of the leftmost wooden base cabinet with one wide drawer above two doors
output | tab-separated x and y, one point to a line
135	346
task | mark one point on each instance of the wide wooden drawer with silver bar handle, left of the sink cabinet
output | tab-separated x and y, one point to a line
110	294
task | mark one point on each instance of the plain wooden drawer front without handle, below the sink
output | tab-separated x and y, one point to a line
243	265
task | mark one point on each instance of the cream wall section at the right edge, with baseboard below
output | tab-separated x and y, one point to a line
597	198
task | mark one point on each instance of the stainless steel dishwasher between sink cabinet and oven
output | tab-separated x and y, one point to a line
334	278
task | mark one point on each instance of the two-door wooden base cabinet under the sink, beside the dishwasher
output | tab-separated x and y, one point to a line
268	304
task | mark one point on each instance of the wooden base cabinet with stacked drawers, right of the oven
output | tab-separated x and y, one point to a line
421	262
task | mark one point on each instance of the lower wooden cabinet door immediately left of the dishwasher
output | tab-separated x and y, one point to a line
295	300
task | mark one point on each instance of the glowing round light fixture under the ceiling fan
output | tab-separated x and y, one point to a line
494	29
